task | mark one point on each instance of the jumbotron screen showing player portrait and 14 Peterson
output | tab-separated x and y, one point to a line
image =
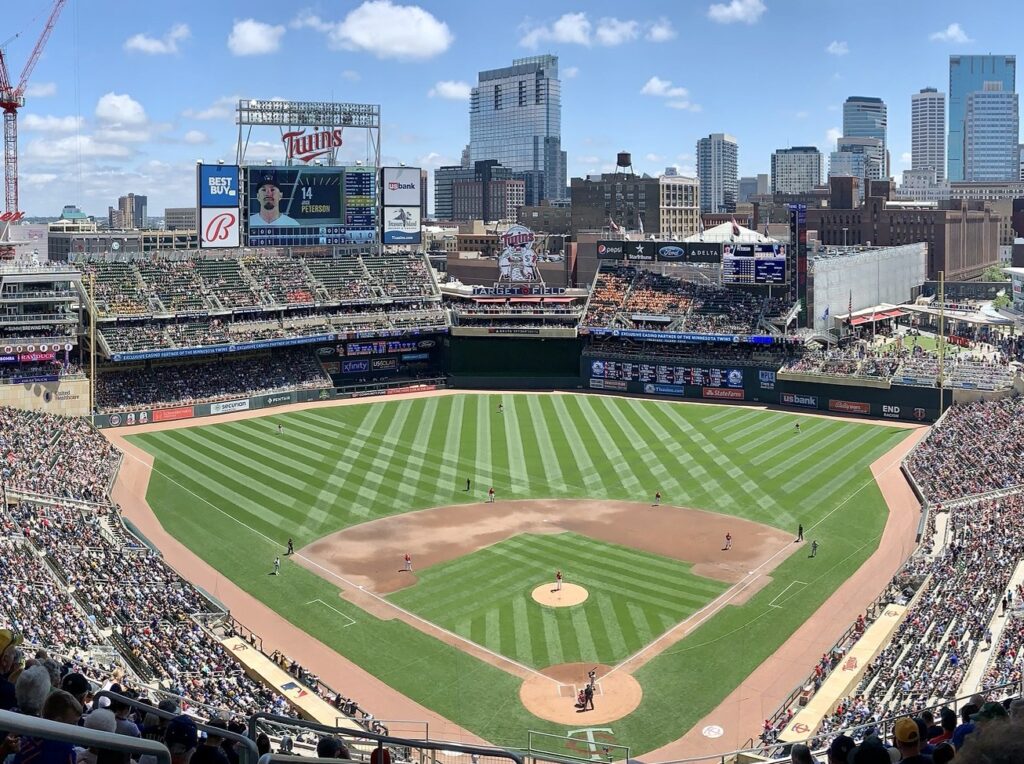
304	206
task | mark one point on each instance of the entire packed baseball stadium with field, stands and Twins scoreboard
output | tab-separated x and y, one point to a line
319	490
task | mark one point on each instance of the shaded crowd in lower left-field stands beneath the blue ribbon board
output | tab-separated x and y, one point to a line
225	378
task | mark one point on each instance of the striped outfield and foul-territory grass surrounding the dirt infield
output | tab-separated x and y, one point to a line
236	492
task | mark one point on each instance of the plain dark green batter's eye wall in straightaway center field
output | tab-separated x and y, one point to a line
514	363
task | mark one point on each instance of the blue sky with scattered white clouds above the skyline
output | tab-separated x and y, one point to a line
129	96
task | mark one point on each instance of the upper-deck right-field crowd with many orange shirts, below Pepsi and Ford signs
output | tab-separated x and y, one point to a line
636	299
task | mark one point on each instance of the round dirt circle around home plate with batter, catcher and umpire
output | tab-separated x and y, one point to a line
553	696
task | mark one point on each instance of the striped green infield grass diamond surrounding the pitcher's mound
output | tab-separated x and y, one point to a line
487	598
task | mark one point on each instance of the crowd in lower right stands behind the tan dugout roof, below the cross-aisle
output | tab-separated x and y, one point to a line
955	587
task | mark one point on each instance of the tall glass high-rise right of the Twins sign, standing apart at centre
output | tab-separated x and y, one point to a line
516	117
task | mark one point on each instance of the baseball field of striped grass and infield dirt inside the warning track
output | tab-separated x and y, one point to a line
357	487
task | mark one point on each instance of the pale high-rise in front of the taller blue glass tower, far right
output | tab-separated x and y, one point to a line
992	151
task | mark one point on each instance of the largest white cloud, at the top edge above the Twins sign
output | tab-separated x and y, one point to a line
386	30
